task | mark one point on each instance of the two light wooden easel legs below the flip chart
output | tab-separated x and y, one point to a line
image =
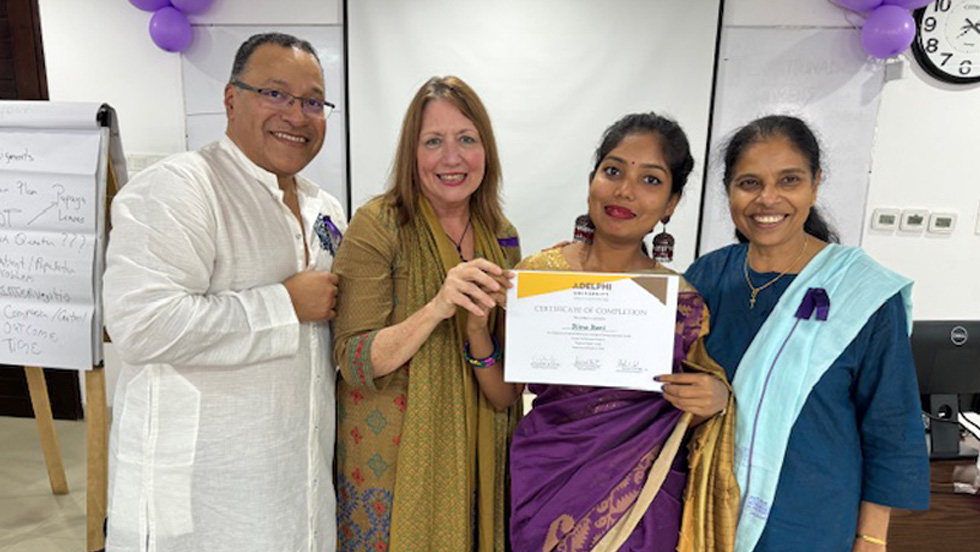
97	429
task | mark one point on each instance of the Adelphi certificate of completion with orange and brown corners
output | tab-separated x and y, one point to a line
590	328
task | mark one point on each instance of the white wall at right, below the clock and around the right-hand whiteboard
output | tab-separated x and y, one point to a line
924	156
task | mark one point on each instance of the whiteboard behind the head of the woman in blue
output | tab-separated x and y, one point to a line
820	75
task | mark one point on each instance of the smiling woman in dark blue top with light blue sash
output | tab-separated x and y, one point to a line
814	337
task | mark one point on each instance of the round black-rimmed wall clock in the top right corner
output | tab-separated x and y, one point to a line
947	42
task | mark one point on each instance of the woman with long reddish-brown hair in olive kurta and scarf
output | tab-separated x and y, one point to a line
409	435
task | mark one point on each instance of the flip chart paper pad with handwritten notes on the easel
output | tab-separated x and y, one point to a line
53	167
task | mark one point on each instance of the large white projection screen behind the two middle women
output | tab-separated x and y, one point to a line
553	75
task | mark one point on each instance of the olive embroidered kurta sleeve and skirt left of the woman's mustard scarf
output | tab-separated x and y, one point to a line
368	432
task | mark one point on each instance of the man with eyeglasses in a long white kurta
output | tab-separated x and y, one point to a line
217	297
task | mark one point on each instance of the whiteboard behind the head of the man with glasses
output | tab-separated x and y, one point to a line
206	66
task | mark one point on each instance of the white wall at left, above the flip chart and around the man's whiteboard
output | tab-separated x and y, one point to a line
100	50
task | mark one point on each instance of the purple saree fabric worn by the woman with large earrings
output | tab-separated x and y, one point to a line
581	456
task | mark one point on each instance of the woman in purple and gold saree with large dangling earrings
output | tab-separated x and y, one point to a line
604	468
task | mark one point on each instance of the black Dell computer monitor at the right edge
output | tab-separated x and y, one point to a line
947	362
